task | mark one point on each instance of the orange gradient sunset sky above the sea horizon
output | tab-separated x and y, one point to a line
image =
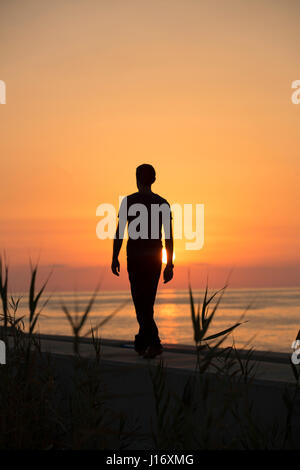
200	89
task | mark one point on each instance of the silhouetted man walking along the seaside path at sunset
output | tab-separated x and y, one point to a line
146	213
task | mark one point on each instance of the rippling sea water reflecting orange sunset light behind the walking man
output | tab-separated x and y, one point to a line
271	323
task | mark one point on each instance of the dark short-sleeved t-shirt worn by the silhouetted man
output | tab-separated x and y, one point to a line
145	213
